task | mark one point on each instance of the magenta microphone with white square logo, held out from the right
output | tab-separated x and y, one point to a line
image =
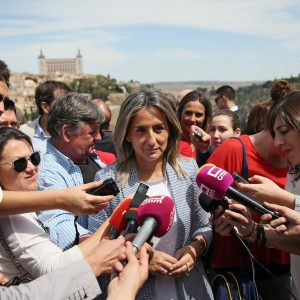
216	183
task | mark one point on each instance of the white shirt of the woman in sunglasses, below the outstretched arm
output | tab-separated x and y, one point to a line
32	247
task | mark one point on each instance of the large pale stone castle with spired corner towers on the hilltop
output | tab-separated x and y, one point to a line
52	66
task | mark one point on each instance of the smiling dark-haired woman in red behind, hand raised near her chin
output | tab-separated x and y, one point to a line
194	113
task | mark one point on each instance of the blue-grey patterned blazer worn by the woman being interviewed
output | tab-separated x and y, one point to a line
192	221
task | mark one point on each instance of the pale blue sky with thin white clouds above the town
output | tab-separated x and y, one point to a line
157	40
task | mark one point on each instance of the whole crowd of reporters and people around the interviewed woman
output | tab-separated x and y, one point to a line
54	232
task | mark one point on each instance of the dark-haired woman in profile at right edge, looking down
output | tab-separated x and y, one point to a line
284	125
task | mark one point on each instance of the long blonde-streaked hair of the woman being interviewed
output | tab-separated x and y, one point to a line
145	98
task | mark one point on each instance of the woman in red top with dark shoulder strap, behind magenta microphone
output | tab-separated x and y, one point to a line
251	155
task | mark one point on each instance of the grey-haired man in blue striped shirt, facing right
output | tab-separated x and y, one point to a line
70	159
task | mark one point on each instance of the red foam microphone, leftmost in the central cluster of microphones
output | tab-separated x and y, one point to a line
117	219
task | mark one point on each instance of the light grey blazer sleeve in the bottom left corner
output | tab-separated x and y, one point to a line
75	281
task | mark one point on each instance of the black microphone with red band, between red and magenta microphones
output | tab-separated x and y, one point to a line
130	216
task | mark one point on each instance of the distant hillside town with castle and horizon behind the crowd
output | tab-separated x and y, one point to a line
71	71
